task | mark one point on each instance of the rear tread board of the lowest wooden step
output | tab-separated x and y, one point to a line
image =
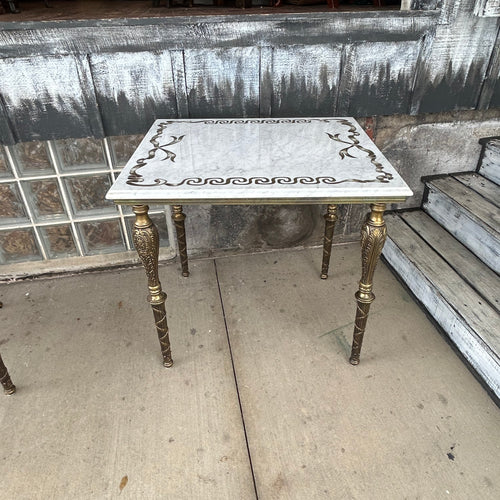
477	274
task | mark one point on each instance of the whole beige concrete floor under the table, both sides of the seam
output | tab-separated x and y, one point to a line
96	416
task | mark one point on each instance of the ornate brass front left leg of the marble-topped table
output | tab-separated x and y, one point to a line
147	244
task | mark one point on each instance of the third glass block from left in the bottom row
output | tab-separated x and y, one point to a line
102	236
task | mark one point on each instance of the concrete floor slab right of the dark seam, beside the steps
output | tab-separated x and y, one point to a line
319	428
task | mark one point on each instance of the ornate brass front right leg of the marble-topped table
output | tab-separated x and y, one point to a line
373	234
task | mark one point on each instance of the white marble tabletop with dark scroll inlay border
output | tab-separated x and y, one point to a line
272	160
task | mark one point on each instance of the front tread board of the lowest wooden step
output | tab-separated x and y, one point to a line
482	318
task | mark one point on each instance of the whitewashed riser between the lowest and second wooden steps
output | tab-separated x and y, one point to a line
468	230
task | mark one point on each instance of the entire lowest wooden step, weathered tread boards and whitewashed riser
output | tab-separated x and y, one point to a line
432	264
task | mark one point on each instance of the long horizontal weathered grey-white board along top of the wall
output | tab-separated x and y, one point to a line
179	33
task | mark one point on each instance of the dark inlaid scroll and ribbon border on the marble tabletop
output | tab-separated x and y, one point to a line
136	179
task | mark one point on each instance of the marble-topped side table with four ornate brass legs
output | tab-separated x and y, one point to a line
258	161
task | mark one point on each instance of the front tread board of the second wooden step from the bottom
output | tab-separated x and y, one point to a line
477	206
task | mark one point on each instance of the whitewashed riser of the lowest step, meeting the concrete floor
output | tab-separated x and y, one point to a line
473	349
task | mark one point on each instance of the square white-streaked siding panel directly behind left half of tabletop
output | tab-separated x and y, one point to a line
223	82
